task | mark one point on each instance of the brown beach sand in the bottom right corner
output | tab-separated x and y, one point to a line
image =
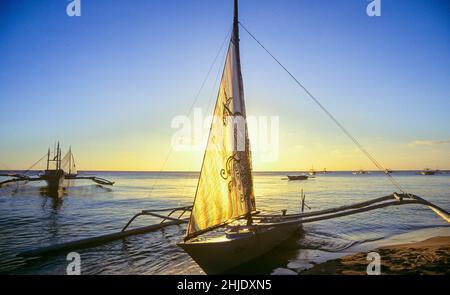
428	257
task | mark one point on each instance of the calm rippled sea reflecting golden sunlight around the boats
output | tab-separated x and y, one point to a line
29	220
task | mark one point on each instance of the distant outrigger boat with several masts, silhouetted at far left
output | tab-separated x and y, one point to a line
58	170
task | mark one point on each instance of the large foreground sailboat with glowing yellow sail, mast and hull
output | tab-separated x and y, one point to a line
223	231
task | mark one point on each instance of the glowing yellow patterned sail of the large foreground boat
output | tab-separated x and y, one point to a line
225	187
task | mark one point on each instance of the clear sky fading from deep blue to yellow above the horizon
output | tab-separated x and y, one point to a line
110	82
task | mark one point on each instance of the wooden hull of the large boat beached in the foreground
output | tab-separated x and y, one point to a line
220	254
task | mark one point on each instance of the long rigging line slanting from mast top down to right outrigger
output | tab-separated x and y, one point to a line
349	135
